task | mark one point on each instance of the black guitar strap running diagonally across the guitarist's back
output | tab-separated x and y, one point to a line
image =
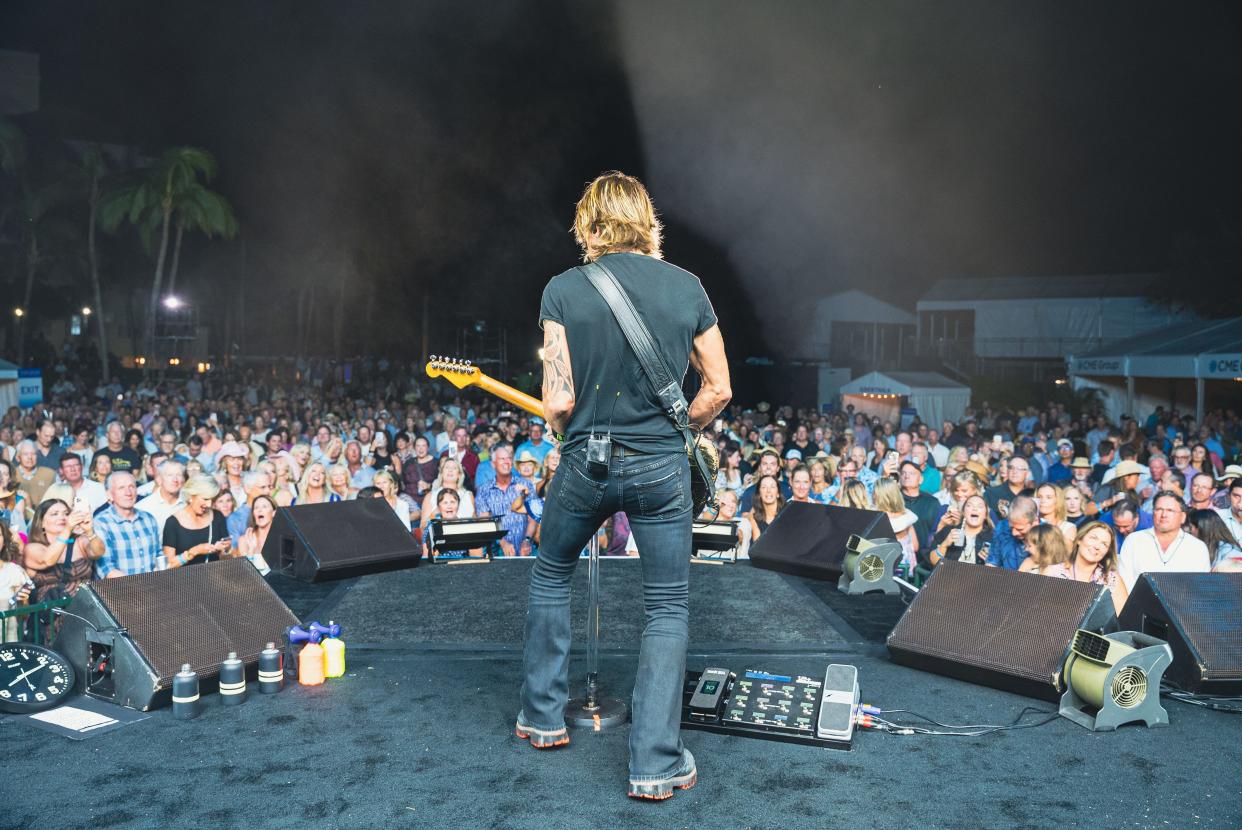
668	388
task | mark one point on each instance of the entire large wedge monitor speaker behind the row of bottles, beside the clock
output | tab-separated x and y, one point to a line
127	638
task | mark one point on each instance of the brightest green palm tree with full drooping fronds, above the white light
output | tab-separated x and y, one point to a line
151	203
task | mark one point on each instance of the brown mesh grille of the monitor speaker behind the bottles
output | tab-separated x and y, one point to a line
197	614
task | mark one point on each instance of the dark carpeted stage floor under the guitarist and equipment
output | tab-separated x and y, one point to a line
419	732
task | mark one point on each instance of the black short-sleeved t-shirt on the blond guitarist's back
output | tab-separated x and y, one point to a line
675	309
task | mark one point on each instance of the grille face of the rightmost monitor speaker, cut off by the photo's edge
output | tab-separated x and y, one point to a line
1209	609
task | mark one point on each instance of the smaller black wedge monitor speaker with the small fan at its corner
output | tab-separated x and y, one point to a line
810	540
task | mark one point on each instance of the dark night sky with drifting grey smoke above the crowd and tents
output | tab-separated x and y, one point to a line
793	148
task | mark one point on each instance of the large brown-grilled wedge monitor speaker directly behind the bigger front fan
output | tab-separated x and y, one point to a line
999	628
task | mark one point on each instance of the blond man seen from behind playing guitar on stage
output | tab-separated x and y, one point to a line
596	388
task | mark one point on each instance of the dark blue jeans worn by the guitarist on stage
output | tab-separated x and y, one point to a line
655	493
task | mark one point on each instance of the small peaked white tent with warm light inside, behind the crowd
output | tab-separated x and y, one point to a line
932	396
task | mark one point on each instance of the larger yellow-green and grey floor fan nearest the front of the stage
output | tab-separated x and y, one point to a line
1112	680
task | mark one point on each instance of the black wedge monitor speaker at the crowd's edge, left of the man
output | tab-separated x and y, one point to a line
317	544
